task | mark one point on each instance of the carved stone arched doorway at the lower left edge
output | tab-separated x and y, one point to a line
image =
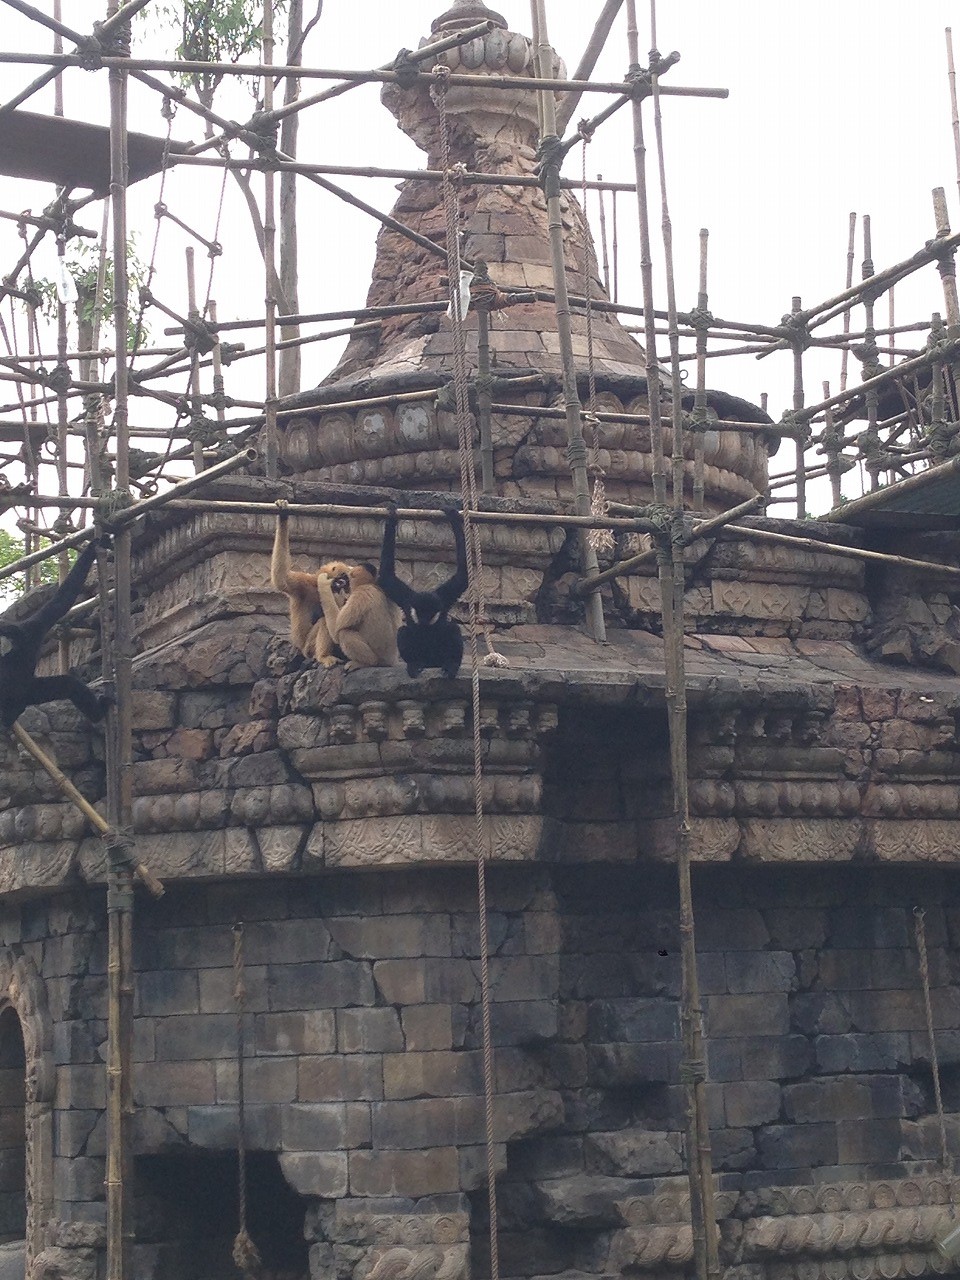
26	1112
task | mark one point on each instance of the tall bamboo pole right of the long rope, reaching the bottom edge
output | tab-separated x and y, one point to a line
671	574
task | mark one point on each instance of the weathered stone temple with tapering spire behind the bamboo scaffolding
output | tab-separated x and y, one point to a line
333	815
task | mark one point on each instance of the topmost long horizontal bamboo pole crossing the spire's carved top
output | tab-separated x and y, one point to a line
424	79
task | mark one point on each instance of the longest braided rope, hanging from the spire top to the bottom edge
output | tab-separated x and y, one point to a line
468	481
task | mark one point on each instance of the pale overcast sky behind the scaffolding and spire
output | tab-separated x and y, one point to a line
834	108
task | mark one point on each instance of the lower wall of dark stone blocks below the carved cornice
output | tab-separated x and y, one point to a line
364	1068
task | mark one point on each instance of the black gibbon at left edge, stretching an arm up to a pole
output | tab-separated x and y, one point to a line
20	648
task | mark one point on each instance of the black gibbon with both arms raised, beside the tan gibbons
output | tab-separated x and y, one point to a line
428	637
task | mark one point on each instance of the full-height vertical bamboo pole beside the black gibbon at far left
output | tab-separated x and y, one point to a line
120	900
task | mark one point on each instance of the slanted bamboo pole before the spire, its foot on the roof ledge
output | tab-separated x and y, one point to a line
577	449
